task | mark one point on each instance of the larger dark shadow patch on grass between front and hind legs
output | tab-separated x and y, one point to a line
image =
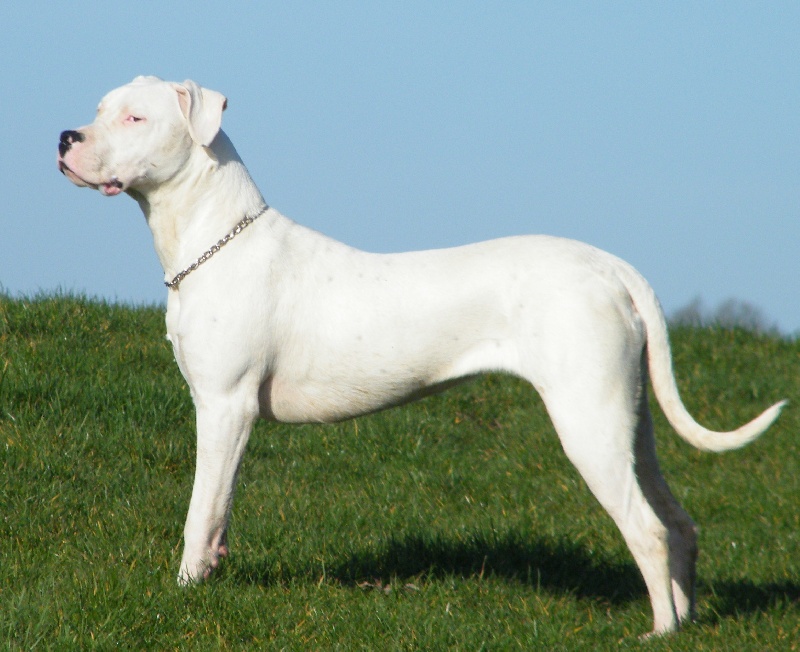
559	566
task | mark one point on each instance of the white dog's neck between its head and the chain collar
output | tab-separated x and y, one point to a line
210	194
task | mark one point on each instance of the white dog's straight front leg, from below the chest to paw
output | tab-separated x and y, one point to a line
223	427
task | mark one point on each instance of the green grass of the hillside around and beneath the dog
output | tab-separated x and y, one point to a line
453	523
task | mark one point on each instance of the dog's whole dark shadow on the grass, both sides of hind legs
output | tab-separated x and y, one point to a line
558	566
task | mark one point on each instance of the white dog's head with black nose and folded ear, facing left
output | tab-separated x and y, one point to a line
143	135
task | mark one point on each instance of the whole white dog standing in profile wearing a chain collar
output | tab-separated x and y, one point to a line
289	325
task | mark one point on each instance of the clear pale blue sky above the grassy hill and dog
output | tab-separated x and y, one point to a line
666	133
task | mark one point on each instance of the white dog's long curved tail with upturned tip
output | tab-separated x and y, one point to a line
662	377
